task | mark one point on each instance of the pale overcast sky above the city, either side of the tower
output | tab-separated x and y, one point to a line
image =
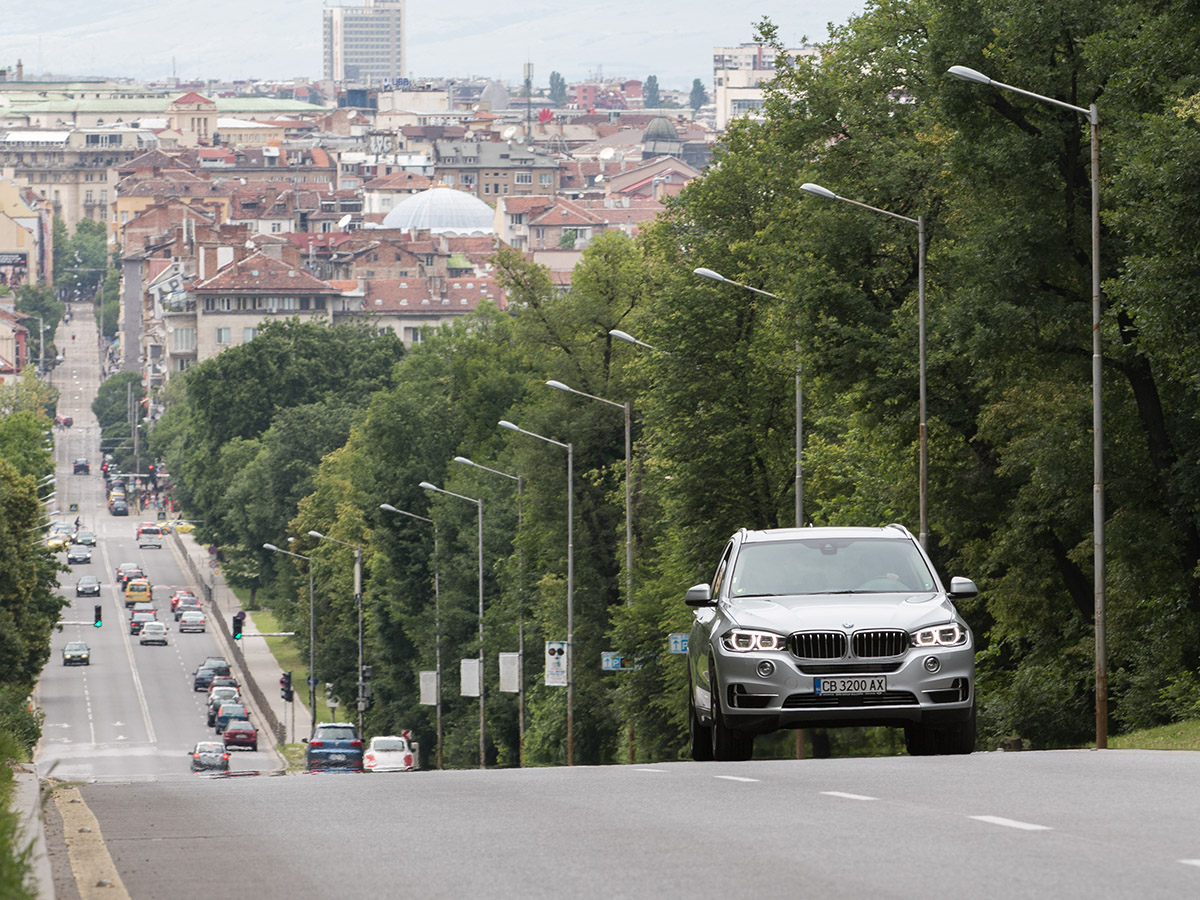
151	40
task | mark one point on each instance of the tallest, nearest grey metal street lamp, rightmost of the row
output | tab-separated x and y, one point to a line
1094	119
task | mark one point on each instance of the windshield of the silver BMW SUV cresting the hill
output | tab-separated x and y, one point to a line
849	566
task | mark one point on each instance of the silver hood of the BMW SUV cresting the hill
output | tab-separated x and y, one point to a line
843	613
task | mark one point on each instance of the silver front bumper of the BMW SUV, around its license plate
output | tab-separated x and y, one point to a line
787	697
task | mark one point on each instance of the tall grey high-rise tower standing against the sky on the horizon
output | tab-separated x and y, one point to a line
365	44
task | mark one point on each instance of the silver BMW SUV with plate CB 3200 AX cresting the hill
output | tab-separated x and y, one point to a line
824	628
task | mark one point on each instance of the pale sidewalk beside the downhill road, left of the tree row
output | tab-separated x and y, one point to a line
260	670
